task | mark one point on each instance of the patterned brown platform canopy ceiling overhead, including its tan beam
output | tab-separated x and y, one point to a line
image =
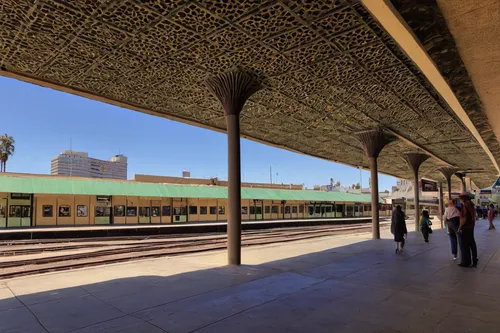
329	68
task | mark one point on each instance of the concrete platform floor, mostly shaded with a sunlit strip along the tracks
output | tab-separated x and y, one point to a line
331	284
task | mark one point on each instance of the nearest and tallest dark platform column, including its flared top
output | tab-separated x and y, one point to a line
233	89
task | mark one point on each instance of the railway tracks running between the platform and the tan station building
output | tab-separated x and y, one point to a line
22	258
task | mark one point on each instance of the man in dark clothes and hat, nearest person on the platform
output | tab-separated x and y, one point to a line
466	231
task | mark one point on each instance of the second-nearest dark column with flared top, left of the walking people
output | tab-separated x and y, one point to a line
373	141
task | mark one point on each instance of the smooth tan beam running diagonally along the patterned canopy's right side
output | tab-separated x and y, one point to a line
395	26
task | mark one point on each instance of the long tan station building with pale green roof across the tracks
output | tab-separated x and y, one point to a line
41	201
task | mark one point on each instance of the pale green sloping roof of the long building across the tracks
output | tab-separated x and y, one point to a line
82	186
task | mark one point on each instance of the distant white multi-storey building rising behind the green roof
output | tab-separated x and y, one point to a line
79	164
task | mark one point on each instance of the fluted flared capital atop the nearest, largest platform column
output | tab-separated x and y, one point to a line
232	89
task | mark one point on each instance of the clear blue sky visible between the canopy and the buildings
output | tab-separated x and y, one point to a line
43	121
